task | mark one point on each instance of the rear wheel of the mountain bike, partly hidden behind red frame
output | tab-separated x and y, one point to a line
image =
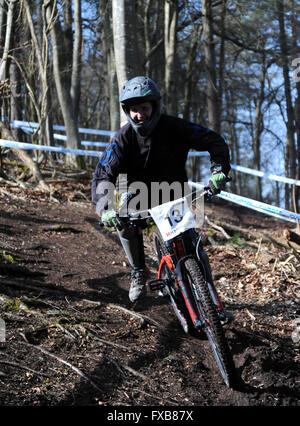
172	288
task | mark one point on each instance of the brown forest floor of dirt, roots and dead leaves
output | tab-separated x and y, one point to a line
73	339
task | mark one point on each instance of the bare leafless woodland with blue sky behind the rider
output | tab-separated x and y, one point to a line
233	66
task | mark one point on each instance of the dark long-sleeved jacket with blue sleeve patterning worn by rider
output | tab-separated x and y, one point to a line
159	157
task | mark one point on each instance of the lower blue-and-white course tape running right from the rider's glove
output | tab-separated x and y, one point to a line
256	205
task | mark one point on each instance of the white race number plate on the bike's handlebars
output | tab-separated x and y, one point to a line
173	218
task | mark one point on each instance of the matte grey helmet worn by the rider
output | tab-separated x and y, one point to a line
139	90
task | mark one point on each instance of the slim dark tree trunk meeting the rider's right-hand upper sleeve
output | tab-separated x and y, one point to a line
210	64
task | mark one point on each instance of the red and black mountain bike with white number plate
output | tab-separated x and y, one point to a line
184	277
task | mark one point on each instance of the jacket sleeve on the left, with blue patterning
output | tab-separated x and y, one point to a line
105	176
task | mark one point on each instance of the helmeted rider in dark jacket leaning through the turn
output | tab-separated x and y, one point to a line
151	147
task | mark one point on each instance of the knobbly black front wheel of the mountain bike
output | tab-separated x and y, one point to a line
212	325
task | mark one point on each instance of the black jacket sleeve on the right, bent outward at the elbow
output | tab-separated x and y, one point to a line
204	139
